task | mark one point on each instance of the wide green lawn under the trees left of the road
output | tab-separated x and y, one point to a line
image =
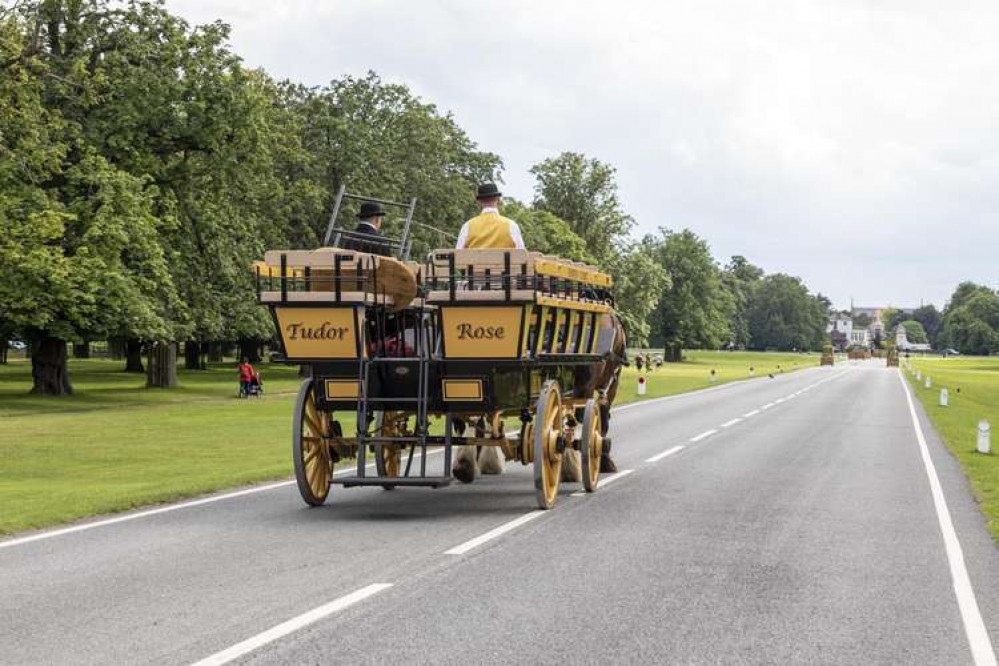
116	445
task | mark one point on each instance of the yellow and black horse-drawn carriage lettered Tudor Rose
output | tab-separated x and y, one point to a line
440	355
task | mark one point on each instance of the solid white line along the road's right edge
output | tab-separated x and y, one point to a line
974	626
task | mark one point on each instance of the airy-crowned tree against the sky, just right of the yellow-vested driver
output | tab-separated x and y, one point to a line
583	192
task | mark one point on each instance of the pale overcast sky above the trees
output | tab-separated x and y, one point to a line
855	144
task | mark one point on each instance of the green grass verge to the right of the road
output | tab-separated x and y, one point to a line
978	381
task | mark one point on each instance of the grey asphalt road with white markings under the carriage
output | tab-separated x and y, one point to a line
786	520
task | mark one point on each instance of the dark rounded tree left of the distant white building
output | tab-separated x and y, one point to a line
783	315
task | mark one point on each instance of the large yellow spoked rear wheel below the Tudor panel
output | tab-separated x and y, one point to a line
310	447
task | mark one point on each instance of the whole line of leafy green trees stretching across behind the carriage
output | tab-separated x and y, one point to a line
143	168
